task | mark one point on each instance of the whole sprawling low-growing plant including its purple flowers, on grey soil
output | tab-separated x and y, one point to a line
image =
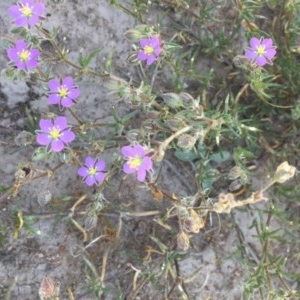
216	124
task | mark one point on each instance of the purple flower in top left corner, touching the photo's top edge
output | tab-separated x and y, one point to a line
27	12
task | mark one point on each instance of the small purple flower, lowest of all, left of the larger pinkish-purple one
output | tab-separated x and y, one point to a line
92	171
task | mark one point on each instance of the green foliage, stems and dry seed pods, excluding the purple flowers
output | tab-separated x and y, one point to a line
205	105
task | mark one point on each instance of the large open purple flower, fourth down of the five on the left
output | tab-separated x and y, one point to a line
54	134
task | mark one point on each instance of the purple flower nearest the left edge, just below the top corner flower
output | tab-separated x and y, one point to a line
23	57
